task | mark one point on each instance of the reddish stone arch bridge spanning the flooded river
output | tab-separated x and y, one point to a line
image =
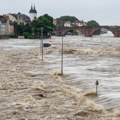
87	31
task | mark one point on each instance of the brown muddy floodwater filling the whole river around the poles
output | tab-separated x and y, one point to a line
32	89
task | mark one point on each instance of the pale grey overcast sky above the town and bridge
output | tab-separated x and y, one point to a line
105	12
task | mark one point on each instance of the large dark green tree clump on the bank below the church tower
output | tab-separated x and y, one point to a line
36	27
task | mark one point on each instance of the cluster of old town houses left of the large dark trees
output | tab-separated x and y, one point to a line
9	22
